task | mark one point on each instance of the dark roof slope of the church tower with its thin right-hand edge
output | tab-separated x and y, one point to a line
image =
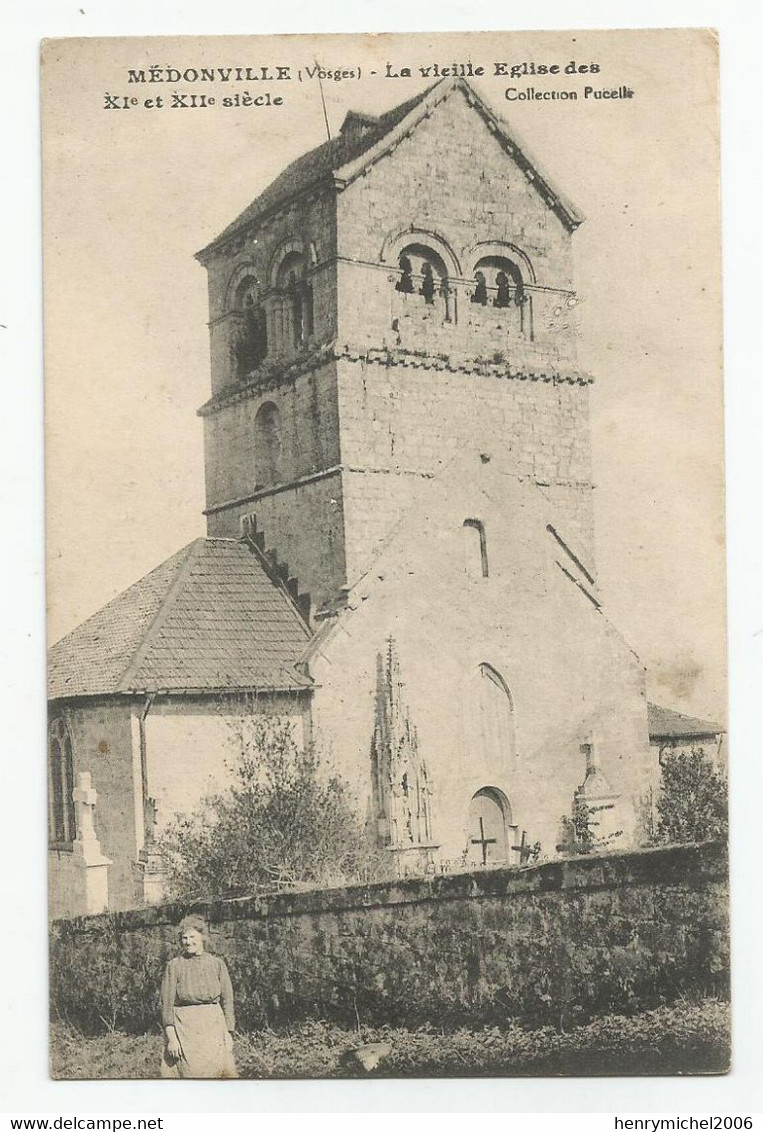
321	164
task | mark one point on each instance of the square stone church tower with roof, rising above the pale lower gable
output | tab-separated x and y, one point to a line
397	295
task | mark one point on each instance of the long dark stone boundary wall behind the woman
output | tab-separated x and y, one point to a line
554	942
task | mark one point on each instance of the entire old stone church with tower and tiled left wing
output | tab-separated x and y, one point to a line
400	552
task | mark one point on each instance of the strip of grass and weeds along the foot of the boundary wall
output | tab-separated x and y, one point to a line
685	1039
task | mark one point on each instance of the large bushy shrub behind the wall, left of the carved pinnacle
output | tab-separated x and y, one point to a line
285	821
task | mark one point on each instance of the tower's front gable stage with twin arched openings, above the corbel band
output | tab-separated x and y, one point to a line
431	191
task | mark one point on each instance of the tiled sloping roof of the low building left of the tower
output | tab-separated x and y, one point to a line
208	620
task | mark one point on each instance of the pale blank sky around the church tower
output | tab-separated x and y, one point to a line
131	195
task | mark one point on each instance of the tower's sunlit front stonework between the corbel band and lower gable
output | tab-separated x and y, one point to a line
401	425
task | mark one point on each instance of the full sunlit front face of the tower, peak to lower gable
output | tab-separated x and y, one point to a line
432	376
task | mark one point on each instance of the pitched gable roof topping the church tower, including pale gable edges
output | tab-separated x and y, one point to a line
365	140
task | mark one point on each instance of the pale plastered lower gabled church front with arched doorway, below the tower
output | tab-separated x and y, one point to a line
571	678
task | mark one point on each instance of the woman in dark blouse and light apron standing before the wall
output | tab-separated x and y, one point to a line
198	1010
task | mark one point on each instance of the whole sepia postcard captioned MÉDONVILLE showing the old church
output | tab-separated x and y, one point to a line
385	533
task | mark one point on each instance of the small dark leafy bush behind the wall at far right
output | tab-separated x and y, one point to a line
693	802
